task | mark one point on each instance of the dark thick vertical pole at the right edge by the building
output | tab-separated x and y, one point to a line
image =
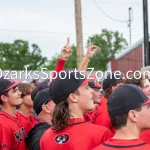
146	36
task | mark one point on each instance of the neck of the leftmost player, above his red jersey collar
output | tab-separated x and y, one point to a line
9	109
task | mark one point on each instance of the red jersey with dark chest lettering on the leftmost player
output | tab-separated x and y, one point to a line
12	133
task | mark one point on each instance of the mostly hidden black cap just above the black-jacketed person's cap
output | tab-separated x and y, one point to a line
41	86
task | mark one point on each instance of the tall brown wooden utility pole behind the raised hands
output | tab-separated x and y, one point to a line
79	38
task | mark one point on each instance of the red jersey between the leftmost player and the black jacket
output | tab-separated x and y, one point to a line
28	122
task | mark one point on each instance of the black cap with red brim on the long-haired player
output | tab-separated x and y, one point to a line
66	83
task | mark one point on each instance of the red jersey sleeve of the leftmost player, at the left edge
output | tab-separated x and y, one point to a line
5	137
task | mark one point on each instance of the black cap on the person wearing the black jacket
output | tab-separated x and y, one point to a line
41	98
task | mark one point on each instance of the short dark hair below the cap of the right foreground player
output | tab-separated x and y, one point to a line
120	121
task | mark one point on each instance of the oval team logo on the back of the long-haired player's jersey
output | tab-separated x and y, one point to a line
62	138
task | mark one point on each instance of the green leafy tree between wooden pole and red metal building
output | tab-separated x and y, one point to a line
110	43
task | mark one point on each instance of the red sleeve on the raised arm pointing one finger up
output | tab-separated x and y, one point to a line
59	67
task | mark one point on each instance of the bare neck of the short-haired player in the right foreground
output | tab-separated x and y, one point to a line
127	133
